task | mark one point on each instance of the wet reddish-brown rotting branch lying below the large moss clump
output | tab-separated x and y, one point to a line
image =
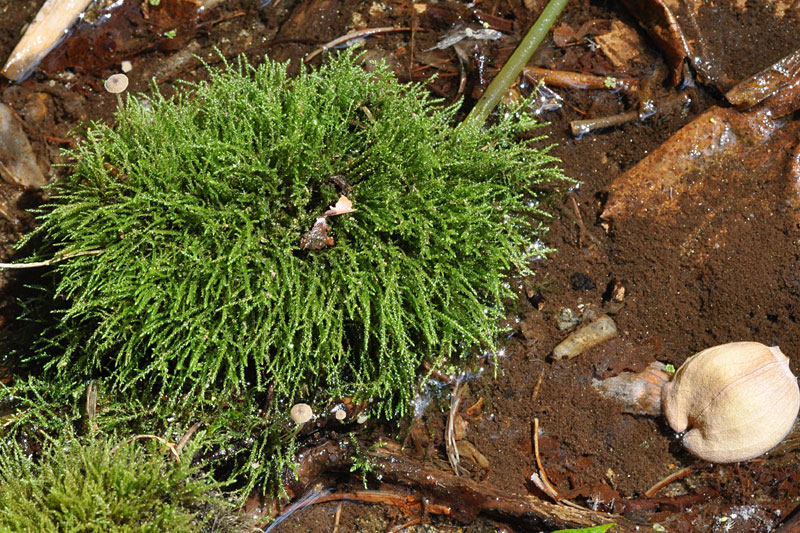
464	497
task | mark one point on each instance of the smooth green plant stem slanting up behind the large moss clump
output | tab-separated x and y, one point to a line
500	84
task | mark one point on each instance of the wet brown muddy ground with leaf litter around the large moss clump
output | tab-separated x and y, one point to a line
708	257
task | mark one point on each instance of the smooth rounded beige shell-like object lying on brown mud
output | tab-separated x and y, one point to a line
736	400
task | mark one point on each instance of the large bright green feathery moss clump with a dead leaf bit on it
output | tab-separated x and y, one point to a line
199	204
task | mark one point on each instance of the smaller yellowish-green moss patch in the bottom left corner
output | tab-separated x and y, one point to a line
89	485
